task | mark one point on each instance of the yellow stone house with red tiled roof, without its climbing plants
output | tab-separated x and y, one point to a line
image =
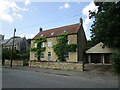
76	35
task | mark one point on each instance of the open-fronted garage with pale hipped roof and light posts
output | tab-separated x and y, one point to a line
98	54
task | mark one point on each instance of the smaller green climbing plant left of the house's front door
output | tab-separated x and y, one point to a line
38	49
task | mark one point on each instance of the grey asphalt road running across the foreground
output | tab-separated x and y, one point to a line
28	79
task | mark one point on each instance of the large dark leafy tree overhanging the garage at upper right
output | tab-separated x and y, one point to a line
106	26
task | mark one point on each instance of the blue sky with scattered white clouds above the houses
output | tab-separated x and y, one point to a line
28	16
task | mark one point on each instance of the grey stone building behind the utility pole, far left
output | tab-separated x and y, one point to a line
20	44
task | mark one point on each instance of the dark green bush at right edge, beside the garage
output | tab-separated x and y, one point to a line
115	61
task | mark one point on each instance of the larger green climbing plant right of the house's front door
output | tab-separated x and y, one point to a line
61	48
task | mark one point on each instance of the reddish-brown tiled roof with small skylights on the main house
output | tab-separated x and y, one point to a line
71	29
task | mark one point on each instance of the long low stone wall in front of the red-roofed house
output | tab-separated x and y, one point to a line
57	65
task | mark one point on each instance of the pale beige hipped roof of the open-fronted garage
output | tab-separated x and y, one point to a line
99	49
